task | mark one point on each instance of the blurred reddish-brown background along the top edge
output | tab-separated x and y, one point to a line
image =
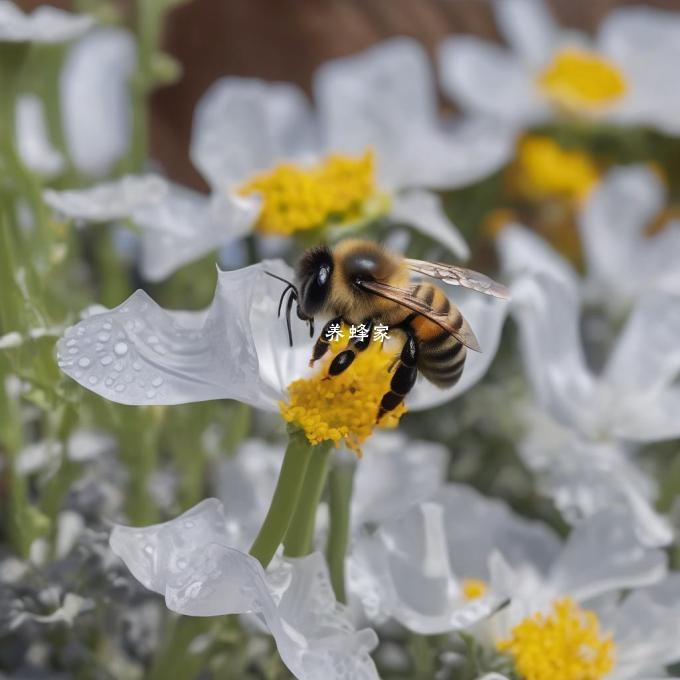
288	39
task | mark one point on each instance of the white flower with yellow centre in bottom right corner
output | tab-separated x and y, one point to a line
580	593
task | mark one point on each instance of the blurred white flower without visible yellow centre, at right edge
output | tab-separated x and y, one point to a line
586	427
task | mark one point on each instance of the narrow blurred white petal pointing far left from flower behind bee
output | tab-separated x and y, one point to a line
114	200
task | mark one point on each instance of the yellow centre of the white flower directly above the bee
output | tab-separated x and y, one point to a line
338	191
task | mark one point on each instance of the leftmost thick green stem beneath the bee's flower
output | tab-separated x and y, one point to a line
286	494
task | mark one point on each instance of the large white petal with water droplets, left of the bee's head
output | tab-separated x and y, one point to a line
139	353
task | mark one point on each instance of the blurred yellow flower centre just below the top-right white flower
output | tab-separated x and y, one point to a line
544	169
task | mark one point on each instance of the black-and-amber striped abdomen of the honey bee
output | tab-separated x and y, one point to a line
441	357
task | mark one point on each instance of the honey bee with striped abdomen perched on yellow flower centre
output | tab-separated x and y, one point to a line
360	282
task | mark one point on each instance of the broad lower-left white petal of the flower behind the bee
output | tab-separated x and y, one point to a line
186	225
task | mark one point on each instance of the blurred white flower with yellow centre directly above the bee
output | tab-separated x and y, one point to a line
249	135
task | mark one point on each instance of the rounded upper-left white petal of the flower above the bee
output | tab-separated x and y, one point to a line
243	126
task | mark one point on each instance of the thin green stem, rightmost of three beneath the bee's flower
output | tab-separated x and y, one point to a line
340	486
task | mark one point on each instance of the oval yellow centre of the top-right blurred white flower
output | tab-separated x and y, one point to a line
580	79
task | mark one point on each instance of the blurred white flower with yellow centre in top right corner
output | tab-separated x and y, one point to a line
625	75
